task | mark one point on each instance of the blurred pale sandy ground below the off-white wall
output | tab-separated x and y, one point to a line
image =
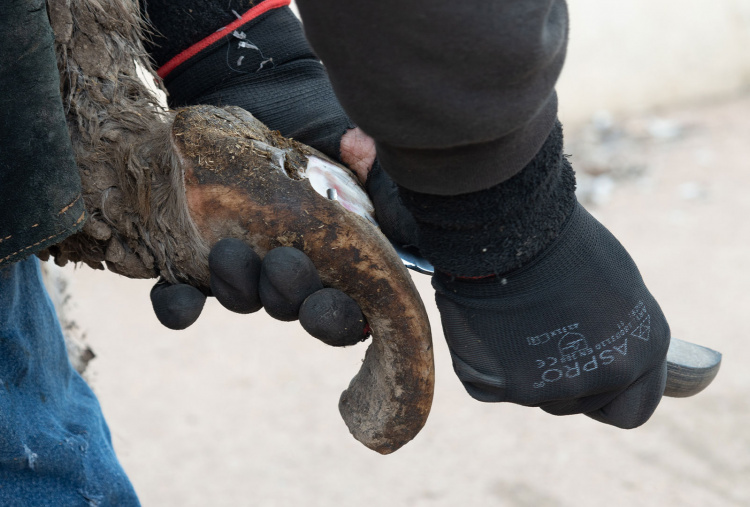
241	410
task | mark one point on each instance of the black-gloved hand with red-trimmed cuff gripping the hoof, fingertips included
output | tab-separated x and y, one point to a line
265	66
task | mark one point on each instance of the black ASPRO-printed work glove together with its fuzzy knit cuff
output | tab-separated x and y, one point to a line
540	304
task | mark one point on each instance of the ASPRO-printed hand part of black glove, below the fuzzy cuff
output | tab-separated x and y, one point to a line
574	331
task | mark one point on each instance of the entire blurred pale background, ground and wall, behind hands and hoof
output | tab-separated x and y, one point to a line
242	410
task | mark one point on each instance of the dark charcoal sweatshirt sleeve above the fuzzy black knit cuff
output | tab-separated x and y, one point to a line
459	96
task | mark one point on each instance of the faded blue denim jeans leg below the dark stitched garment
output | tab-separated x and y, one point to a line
55	447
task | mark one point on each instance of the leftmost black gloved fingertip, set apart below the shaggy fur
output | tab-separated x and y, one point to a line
177	306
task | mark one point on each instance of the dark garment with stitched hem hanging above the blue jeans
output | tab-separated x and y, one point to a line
39	182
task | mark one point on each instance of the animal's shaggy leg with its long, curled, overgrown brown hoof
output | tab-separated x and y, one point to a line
161	187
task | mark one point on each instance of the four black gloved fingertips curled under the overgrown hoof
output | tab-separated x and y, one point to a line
286	283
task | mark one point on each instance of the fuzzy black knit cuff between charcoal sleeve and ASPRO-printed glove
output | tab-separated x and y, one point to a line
501	228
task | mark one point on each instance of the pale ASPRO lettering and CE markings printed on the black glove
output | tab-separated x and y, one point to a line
577	357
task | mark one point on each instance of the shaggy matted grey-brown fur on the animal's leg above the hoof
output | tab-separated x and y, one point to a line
133	186
